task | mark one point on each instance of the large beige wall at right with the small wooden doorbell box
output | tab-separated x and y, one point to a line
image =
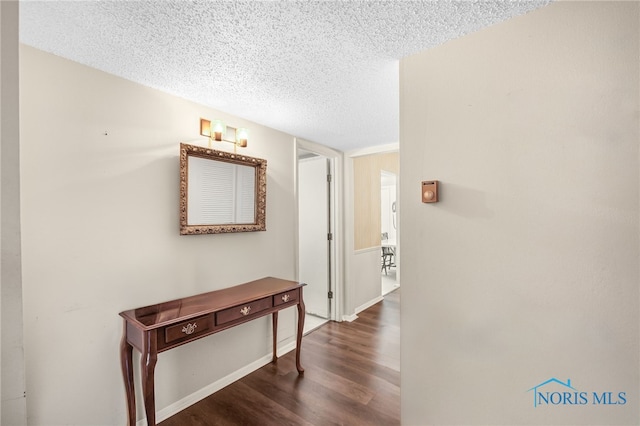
527	269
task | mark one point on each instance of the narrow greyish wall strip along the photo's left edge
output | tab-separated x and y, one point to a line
13	407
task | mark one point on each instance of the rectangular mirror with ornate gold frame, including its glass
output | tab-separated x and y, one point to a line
221	192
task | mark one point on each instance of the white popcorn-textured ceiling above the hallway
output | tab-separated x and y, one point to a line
326	71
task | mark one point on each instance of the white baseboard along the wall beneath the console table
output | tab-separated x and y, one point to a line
200	394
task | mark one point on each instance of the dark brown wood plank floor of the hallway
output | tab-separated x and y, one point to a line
352	377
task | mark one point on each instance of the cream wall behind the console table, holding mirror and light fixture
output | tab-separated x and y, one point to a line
100	232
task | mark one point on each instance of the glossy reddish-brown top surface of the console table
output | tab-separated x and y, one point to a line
161	314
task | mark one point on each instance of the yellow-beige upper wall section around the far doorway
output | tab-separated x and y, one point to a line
366	176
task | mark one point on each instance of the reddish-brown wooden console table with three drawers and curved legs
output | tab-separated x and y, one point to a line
158	328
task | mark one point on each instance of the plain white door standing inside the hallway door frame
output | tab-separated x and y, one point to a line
313	210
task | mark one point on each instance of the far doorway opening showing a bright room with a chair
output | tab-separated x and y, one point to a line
389	232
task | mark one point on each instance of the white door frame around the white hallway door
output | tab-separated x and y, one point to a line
335	219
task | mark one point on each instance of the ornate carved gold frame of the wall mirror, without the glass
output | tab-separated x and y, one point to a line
260	204
